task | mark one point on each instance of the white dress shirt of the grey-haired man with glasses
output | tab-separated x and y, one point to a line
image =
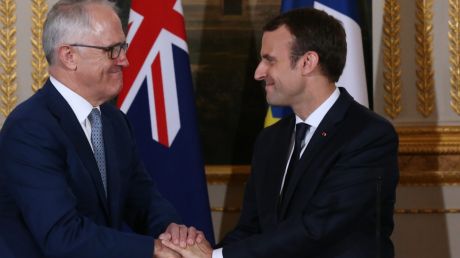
80	106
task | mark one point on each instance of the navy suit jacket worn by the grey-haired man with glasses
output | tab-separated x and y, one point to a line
52	202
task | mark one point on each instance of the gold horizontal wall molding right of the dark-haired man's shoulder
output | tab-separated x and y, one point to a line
429	140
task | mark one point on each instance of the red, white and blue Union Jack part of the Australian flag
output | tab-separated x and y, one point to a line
152	63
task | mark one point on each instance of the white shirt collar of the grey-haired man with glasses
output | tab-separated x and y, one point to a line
80	106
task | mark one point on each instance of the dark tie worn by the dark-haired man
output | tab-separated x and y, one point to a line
300	132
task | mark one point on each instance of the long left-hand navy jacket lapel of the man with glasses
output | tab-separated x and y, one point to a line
72	128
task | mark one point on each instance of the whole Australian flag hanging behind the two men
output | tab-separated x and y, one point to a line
158	99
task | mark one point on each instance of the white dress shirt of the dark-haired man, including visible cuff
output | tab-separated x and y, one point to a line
314	119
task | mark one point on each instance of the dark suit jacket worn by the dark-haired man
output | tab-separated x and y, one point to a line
340	200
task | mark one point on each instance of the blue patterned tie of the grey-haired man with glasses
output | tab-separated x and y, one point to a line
98	144
